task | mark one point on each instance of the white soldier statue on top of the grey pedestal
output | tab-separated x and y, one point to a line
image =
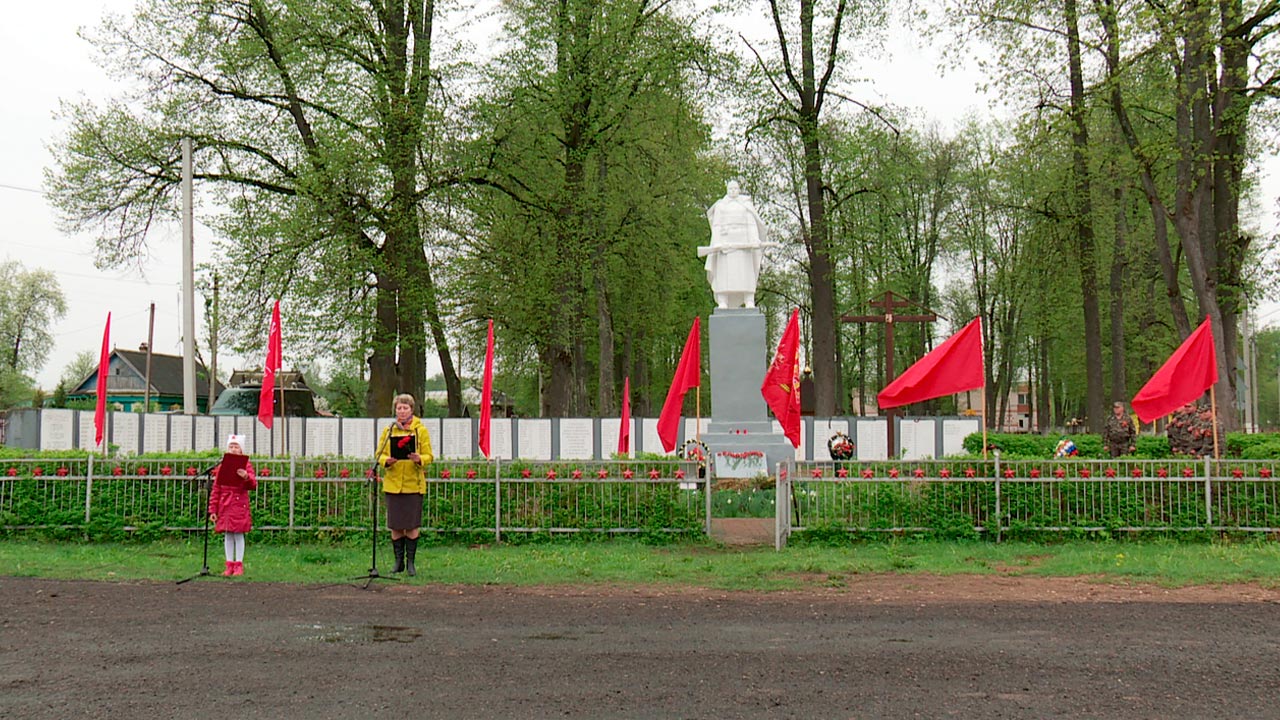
739	239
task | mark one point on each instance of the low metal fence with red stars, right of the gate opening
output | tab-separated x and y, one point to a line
998	498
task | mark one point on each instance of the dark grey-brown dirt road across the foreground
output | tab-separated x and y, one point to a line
884	646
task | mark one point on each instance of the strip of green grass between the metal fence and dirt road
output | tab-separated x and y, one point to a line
629	563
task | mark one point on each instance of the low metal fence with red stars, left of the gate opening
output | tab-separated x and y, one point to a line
665	496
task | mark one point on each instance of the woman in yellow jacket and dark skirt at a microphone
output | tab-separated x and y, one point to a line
405	482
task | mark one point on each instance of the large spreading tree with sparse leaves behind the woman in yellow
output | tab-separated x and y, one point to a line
316	129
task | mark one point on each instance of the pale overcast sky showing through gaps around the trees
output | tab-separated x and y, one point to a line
43	62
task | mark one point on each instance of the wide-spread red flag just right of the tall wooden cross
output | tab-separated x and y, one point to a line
953	367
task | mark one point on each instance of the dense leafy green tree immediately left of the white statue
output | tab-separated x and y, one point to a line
596	177
